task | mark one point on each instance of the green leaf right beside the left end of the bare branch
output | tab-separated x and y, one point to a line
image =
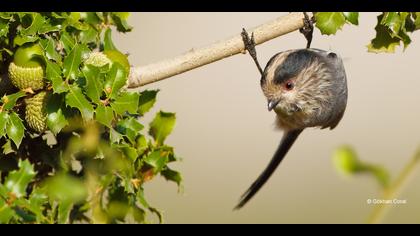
116	79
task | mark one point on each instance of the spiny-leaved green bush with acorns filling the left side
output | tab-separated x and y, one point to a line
74	148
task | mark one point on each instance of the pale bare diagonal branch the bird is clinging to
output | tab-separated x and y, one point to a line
154	72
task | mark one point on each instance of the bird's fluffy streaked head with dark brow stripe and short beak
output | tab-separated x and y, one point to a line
297	80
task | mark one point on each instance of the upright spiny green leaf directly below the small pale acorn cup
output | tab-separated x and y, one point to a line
93	83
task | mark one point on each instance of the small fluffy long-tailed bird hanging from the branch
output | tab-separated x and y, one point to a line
305	88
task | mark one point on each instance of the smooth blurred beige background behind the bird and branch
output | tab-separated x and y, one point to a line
226	135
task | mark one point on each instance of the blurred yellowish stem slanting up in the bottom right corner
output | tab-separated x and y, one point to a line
392	191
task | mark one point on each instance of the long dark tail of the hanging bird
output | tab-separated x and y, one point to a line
286	142
